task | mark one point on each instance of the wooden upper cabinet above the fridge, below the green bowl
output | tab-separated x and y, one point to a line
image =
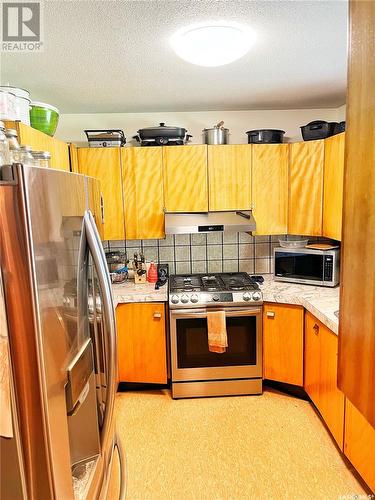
42	142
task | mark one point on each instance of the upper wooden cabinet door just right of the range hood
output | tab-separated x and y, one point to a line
270	164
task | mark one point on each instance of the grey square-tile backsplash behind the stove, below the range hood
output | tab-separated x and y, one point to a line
206	253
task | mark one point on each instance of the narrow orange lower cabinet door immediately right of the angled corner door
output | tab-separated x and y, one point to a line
312	358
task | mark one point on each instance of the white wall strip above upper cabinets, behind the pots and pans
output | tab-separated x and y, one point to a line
71	126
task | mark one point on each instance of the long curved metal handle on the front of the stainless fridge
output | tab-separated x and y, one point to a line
109	320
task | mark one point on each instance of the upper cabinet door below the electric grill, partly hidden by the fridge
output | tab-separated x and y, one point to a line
105	164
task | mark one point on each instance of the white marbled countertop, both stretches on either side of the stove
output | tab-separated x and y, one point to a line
322	302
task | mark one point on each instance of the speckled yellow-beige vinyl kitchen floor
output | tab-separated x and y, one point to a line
272	446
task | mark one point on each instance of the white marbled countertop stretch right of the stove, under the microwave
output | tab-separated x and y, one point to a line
322	302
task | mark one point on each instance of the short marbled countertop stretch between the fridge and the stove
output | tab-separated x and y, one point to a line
130	292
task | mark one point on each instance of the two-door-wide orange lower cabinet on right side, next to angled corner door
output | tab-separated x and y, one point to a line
320	381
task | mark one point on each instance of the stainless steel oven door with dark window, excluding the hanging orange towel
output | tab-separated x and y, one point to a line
191	359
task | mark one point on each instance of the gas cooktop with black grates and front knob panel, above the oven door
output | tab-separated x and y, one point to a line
213	289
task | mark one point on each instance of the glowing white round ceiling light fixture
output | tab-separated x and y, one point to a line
212	44
